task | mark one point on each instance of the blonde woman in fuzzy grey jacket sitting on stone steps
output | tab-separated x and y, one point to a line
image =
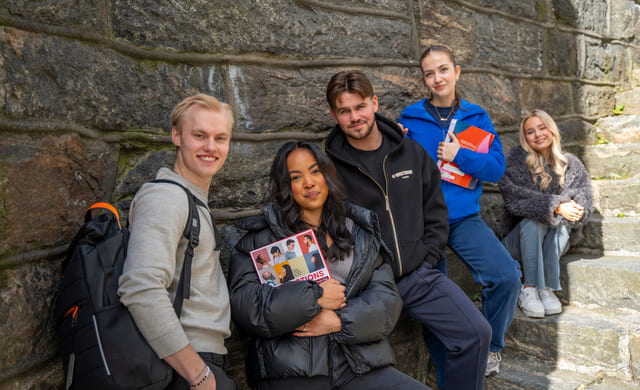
547	199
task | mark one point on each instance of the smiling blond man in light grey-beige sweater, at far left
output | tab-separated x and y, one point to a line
193	344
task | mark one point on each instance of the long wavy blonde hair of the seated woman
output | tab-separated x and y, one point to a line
535	161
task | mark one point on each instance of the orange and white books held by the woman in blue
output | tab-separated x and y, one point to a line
470	137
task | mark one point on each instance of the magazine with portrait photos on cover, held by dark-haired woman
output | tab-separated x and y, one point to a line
296	257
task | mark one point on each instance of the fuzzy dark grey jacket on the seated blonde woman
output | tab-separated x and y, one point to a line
523	198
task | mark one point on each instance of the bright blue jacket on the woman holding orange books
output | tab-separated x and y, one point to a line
484	166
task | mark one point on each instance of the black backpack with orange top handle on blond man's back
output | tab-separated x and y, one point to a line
101	346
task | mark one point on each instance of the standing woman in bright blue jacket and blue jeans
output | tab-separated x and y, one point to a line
470	238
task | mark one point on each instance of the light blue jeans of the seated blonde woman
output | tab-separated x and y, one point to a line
539	247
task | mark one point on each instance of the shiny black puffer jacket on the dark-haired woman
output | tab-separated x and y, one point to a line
270	315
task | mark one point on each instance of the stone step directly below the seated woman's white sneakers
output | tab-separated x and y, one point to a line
584	339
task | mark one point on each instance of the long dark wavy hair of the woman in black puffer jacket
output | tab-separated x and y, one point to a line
334	215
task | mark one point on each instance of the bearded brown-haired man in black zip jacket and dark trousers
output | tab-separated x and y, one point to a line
395	177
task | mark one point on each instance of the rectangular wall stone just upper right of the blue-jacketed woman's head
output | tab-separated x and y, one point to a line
508	45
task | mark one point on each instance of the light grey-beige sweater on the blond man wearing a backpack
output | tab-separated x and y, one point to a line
150	278
